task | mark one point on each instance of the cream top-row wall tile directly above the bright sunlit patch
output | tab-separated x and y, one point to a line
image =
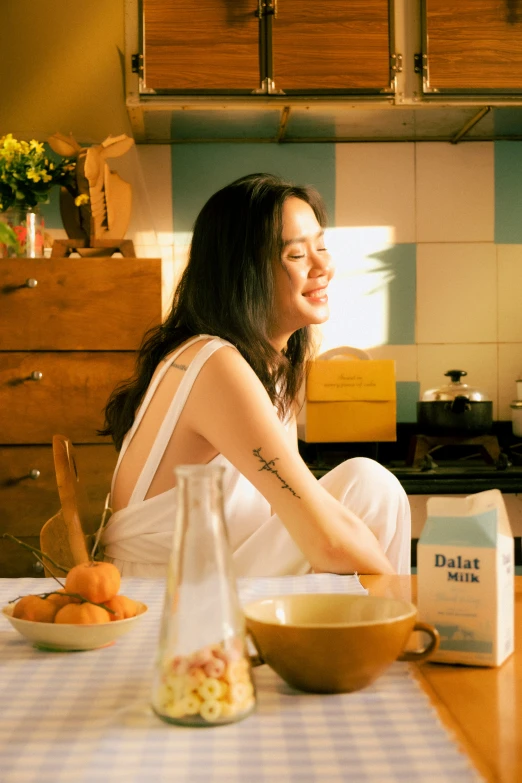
375	186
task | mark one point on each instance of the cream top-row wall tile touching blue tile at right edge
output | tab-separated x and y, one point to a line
455	192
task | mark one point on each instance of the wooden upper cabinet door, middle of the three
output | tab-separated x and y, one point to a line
331	45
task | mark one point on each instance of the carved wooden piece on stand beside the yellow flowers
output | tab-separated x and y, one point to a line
96	207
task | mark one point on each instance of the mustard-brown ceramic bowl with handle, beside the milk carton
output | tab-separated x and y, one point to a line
334	643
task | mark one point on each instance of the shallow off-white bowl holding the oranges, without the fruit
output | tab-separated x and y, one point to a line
68	637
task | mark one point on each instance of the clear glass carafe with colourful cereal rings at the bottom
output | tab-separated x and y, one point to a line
202	673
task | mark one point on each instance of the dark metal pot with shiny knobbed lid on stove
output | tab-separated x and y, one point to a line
455	409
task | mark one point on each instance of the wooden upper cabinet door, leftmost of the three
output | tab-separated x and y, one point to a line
200	45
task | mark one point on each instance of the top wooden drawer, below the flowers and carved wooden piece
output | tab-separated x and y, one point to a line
78	304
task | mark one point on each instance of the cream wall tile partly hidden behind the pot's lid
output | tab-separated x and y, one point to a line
480	361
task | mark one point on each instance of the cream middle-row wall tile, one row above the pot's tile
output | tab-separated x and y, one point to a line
456	293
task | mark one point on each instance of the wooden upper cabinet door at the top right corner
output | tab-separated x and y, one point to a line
473	45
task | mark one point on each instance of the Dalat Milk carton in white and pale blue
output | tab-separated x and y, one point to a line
465	578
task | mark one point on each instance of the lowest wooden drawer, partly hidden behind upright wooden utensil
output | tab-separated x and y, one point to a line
26	504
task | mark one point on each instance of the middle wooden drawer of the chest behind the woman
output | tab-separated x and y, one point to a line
69	398
